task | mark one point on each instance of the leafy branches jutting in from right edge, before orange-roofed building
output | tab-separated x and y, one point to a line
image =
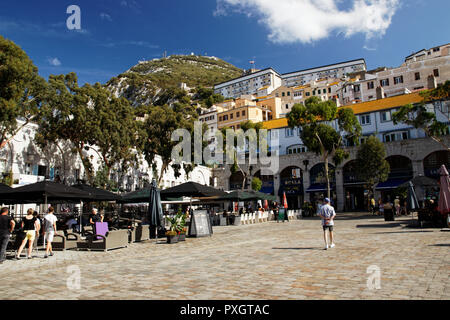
420	117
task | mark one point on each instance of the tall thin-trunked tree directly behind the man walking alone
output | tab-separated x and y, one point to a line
319	136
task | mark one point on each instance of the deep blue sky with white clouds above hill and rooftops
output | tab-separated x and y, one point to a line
286	35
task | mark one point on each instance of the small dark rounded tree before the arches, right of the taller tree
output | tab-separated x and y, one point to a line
371	164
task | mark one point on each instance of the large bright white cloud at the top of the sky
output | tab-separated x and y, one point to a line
306	21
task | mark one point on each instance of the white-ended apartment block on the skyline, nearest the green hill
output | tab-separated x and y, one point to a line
264	81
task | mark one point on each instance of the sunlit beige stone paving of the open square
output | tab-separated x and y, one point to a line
261	261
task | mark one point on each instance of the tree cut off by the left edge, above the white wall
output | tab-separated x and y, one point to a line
20	90
